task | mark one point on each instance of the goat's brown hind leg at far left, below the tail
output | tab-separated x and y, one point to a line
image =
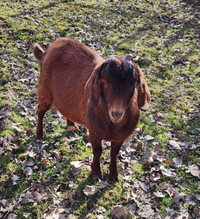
44	104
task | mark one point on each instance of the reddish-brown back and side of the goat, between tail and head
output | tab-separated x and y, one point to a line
65	69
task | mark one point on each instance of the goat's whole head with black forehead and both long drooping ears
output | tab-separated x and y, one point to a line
114	83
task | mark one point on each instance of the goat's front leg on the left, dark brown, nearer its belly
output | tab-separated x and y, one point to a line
97	151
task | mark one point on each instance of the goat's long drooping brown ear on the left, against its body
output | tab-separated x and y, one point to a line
92	87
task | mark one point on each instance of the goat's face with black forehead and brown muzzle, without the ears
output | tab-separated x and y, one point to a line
118	80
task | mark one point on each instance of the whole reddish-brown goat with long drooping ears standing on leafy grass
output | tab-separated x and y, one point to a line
99	94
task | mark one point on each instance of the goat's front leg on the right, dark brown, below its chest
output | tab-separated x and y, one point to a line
115	147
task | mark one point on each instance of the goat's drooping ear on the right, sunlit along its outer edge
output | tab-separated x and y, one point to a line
143	97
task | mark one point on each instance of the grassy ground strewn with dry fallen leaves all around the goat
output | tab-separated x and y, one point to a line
159	165
